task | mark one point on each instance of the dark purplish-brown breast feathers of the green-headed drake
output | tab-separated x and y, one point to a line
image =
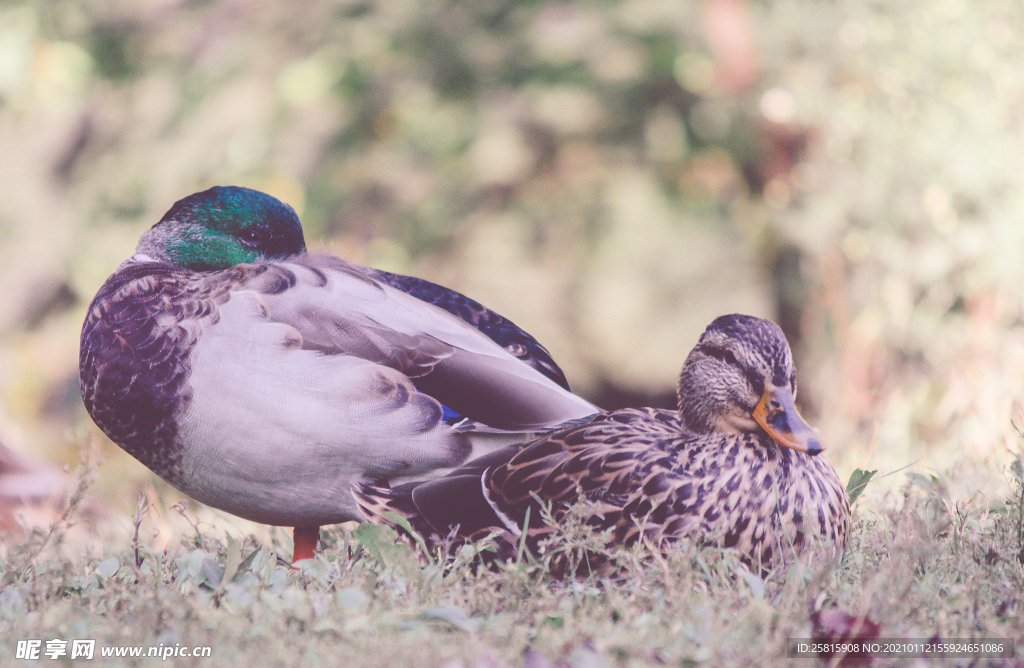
137	341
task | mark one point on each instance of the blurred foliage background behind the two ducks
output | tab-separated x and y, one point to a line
611	176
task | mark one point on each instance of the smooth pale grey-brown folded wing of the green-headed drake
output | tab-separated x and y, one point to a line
338	310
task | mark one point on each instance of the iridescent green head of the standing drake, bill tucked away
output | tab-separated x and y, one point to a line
224	227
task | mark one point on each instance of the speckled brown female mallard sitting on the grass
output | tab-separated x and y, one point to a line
736	467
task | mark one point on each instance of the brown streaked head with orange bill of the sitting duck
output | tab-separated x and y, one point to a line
740	380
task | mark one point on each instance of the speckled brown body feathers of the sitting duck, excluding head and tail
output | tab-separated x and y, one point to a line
650	479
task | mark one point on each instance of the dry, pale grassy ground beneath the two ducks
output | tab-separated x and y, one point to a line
924	566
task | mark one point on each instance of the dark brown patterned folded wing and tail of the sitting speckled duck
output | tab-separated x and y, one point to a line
615	461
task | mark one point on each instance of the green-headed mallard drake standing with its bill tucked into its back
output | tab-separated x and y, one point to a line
265	382
